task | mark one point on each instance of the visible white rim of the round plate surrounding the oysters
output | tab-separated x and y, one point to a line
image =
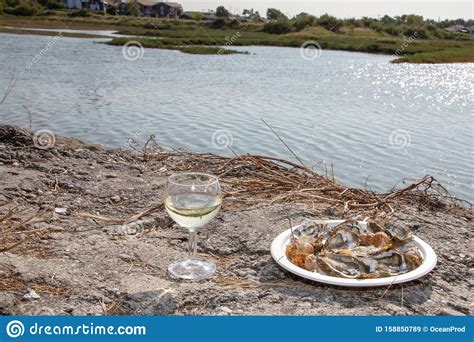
282	240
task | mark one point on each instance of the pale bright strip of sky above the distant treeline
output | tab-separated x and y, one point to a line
344	8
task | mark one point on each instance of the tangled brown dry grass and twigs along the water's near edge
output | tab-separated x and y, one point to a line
253	179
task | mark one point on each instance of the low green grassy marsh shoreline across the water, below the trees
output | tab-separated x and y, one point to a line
447	51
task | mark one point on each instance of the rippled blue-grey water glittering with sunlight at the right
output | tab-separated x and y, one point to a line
375	122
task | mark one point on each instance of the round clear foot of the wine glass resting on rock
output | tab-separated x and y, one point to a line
192	269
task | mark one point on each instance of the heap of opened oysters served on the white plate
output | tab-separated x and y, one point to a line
353	251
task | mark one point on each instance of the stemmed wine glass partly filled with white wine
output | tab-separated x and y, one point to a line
192	200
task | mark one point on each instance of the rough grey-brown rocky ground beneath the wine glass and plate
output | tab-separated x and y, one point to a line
60	260
